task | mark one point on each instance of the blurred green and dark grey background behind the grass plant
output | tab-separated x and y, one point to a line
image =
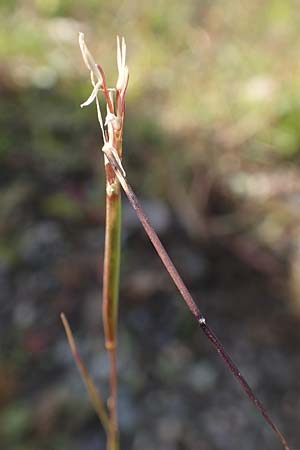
212	146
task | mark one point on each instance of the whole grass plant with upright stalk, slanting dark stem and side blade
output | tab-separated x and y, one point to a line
112	132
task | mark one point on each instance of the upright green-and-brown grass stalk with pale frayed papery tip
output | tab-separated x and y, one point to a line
112	130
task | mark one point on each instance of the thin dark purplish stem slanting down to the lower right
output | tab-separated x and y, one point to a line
186	294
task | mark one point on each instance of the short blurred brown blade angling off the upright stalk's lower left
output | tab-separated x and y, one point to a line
90	386
